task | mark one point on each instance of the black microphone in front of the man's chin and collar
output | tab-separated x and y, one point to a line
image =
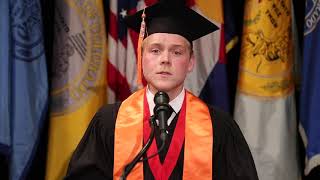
162	112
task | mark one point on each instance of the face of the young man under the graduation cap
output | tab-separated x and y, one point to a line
166	60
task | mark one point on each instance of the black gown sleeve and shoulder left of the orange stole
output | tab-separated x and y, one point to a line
93	157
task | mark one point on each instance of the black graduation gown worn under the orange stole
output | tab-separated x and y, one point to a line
93	158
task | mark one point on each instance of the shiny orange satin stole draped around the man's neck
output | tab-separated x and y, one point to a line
198	137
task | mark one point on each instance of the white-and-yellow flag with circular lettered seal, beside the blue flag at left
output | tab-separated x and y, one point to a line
77	76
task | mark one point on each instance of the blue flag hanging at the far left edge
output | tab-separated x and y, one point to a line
24	84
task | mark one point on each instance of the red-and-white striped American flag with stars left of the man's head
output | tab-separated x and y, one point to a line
122	45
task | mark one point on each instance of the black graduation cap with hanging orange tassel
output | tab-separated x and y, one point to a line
168	16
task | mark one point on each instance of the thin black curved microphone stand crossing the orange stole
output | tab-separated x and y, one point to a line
127	169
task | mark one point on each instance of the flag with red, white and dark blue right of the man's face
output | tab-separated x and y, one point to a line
208	80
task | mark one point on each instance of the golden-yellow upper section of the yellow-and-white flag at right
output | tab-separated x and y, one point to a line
266	54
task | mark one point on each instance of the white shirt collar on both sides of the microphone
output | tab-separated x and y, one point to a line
176	103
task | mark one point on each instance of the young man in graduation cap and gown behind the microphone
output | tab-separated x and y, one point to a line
202	142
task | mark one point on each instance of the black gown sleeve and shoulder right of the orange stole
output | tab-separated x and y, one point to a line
232	158
